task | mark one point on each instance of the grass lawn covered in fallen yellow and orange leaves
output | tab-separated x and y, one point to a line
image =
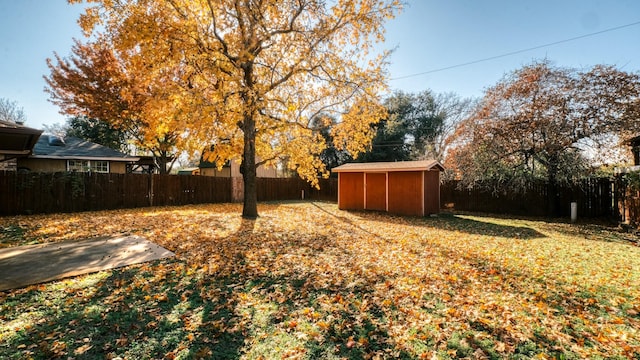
306	280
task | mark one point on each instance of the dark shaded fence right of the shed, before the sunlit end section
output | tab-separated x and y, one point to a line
595	198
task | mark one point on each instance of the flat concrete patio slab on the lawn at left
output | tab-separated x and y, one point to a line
33	264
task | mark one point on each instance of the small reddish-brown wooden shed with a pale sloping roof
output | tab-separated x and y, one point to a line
404	187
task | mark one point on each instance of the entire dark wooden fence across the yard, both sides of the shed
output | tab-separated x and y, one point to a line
33	193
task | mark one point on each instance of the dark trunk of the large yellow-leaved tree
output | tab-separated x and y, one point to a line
248	167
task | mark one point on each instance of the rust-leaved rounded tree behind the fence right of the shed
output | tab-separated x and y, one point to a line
535	123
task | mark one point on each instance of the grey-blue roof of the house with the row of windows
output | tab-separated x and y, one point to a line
53	147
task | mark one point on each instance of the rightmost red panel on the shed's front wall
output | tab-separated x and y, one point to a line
405	193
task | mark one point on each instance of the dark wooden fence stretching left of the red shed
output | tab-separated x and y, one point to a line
33	193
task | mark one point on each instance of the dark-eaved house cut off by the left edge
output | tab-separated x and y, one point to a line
16	140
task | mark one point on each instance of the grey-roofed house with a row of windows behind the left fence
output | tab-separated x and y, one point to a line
55	154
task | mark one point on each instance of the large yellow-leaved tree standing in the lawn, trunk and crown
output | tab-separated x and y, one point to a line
248	76
